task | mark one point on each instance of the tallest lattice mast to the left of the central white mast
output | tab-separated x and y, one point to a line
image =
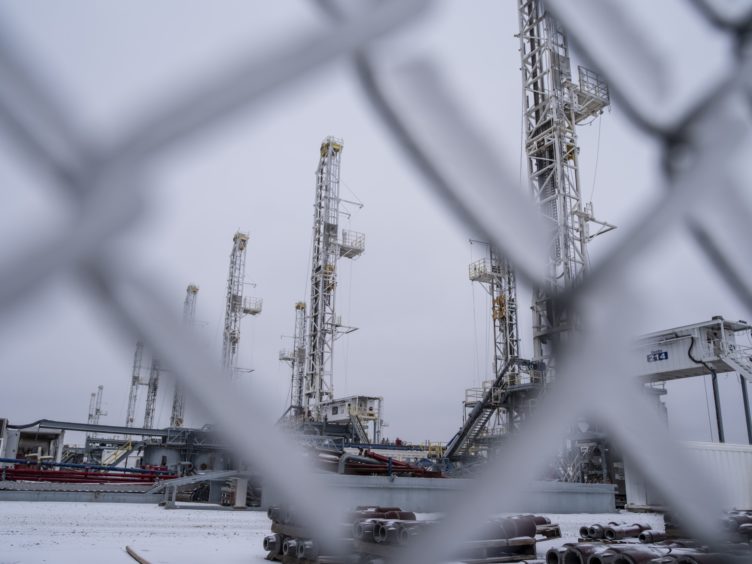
236	306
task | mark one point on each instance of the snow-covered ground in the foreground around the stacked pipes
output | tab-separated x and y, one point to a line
62	533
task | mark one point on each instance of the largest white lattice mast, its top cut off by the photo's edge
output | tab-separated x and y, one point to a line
553	106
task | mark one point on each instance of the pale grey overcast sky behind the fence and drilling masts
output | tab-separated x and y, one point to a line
423	328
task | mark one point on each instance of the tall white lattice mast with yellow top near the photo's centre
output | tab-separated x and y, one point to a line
323	325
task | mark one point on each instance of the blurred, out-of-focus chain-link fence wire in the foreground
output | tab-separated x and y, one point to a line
705	144
